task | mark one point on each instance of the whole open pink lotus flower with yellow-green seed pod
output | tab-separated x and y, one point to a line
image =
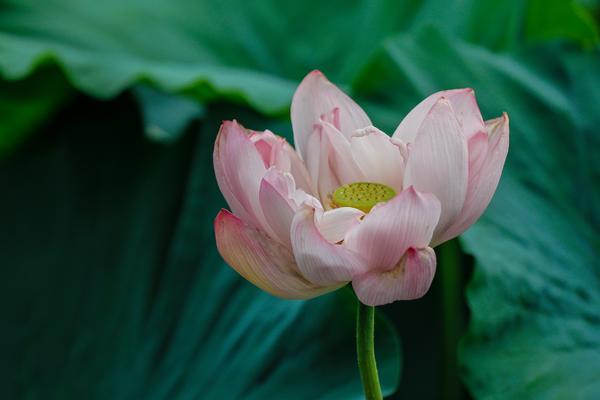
350	203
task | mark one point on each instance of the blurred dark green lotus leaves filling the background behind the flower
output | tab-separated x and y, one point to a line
111	286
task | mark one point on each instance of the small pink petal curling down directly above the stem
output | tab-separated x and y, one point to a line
409	280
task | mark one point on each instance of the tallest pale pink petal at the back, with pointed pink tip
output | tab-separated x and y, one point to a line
317	97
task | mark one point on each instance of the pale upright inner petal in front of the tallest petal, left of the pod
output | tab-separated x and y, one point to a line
329	161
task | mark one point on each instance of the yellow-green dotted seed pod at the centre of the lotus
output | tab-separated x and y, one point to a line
362	195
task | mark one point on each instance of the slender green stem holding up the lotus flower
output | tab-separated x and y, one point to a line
365	349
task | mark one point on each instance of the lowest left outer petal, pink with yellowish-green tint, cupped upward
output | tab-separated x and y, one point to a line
264	262
